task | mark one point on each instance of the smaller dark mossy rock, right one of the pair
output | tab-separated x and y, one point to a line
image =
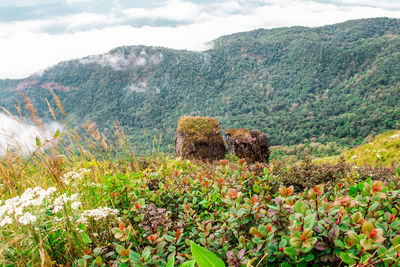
250	145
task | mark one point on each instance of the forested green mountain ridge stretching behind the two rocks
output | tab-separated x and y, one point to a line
336	83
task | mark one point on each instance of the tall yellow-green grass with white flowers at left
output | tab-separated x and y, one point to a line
33	227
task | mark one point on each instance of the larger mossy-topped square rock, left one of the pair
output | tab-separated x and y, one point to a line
199	138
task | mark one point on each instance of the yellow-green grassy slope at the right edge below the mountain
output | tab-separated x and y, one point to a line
384	149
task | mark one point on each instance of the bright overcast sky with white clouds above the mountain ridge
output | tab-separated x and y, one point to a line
35	34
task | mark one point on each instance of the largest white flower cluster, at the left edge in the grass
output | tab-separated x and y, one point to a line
14	208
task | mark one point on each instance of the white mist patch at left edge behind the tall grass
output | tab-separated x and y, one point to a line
18	136
